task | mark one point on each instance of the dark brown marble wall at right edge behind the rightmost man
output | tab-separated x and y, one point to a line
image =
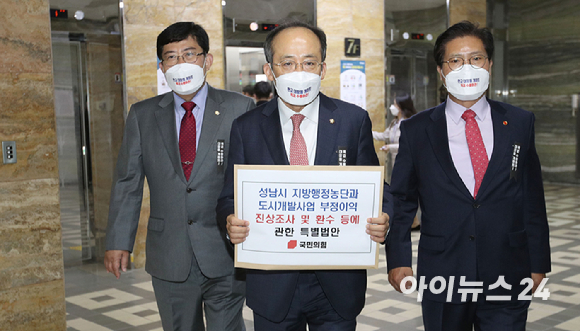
543	48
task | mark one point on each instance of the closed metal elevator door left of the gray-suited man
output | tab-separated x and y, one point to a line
89	109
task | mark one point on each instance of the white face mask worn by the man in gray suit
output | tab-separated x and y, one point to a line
185	78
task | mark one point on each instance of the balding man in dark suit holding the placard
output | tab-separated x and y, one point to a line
301	127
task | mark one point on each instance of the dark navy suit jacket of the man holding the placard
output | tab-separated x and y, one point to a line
256	138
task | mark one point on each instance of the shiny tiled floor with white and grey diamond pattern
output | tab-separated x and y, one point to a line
96	301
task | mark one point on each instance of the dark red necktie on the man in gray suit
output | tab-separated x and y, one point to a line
187	139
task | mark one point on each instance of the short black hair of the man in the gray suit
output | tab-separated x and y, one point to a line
180	31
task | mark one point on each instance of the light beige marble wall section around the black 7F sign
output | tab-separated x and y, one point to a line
362	19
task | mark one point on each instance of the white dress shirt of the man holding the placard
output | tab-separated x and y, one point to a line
308	127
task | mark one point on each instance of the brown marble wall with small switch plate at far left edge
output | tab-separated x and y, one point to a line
31	265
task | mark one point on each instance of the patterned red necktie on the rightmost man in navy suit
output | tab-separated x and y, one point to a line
477	150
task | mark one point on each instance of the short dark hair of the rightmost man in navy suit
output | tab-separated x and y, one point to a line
462	29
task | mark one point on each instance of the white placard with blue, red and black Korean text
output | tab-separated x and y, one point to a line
307	217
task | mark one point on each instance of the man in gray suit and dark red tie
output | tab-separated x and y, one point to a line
178	141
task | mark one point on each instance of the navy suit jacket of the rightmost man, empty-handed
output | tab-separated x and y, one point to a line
503	232
